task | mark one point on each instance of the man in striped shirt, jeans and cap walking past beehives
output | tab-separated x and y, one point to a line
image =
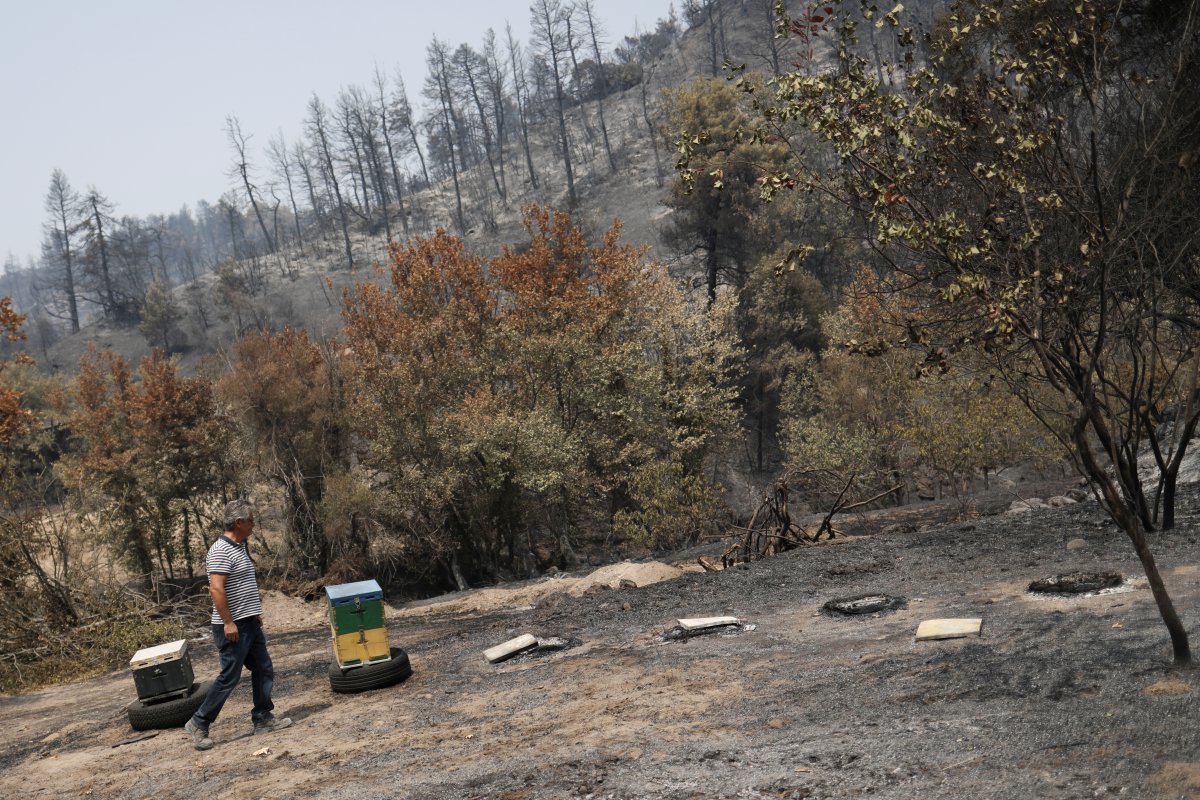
237	628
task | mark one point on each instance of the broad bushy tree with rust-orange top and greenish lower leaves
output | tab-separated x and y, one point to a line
527	401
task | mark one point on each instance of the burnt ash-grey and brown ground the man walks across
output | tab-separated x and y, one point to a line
1067	697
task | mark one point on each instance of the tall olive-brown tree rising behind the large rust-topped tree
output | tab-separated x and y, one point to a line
718	218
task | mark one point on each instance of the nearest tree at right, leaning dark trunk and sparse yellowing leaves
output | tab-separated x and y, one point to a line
1031	183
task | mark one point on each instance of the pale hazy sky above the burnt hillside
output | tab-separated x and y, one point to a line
131	97
